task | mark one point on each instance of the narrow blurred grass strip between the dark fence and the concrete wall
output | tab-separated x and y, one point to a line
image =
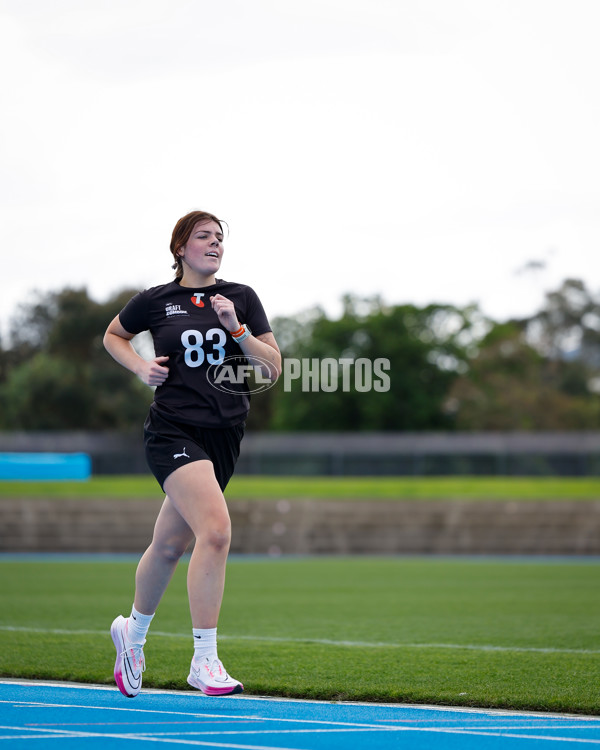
343	488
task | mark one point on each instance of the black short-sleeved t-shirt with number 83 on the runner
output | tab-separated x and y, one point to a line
186	329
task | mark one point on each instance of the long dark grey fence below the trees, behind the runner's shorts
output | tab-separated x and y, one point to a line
353	454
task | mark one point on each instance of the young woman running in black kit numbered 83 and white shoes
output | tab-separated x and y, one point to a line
192	437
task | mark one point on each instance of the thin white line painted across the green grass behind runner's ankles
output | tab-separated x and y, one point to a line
324	641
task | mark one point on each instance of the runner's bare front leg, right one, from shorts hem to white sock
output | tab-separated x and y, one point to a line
196	496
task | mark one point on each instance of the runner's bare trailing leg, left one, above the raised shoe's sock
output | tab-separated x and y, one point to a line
171	538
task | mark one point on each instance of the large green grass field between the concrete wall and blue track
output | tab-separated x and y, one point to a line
480	632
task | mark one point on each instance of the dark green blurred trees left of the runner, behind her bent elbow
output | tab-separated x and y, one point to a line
60	376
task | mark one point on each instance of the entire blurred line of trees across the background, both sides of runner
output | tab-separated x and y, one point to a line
447	368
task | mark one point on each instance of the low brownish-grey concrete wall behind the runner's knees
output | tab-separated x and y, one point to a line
316	527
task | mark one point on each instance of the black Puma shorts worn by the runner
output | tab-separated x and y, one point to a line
170	445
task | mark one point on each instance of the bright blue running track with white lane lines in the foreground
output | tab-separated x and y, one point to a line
36	715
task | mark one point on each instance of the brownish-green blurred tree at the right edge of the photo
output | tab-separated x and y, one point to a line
540	373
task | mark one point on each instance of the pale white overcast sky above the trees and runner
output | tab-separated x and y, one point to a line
422	150
